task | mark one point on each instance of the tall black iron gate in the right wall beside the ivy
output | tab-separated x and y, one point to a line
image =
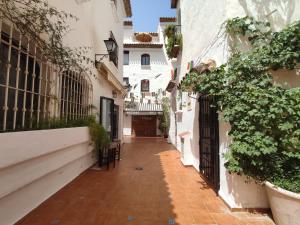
209	142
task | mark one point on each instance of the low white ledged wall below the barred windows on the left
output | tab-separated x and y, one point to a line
36	164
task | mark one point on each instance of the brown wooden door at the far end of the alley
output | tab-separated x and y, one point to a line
144	126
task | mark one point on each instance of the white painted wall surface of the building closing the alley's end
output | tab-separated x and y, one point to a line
158	73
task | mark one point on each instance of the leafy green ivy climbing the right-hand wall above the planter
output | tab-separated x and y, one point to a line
264	117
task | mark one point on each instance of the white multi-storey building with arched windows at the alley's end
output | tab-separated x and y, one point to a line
147	71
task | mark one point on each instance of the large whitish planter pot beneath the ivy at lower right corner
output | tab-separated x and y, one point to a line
285	205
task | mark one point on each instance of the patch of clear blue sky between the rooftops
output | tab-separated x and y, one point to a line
146	13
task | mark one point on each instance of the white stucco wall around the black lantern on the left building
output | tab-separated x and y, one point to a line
97	18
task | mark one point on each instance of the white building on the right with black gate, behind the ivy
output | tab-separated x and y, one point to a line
200	22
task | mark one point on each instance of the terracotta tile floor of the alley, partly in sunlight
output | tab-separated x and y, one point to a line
163	193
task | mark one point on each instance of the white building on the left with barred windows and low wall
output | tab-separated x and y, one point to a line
36	164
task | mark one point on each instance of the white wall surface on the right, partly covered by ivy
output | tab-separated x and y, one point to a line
203	39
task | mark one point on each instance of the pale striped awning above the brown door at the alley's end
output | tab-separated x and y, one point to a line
135	108
